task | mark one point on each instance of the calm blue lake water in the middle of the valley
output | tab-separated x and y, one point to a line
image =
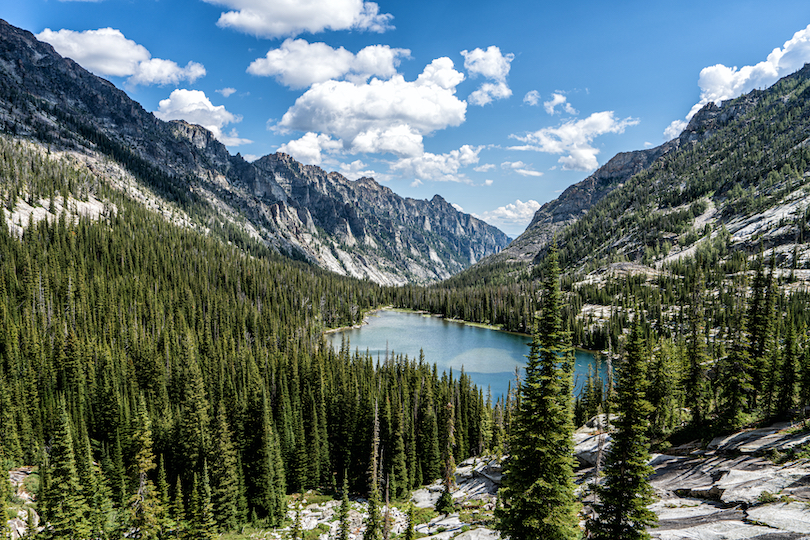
488	356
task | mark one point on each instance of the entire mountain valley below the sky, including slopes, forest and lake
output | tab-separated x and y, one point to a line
169	365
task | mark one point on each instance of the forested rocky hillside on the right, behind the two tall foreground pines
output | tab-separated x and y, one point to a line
707	247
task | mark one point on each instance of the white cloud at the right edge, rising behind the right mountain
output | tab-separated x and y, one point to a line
719	83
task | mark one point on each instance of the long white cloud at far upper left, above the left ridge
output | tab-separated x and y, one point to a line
107	52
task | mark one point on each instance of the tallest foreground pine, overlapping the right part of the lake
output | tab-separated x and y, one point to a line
537	496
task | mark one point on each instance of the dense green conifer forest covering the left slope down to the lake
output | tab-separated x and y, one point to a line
168	383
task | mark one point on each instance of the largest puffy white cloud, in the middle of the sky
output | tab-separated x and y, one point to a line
381	115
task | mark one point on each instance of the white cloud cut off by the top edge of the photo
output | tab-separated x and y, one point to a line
282	18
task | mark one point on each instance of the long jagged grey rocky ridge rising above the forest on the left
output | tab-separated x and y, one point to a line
357	228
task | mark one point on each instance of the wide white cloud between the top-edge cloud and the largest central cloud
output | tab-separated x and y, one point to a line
299	64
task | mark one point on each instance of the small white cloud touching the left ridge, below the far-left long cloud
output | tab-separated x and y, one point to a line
194	107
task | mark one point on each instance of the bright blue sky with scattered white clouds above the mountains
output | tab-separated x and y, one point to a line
495	106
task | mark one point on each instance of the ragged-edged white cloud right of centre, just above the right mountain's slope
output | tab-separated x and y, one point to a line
574	139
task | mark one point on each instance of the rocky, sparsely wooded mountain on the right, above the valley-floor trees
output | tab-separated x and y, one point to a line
739	167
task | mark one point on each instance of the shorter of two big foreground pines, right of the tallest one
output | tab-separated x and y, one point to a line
622	512
